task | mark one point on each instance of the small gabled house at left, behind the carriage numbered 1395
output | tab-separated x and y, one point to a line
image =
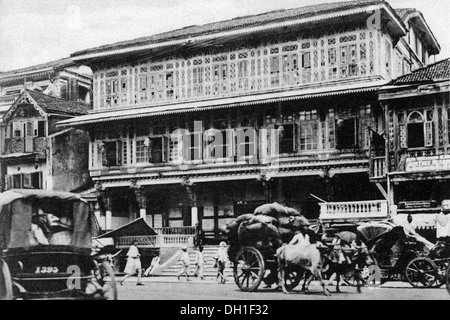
37	155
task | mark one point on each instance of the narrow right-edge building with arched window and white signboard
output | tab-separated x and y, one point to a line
418	117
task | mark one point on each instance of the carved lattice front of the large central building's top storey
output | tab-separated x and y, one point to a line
240	70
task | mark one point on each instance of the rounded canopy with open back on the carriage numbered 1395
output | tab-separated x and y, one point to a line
31	218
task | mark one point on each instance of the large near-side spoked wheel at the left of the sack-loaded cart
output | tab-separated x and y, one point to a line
249	269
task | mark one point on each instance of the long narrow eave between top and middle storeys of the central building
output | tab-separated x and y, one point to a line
174	108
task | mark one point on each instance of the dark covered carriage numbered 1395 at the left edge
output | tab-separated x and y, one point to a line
46	244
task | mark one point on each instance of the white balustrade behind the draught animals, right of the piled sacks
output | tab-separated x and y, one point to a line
354	210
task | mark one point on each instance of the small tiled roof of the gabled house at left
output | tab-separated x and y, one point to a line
59	106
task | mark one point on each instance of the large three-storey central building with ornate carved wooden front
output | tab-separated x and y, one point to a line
202	124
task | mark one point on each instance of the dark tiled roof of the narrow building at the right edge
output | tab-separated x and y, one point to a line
439	71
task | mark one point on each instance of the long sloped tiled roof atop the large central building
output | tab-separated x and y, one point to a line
237	23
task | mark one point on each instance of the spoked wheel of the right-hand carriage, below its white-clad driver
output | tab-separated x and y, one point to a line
421	273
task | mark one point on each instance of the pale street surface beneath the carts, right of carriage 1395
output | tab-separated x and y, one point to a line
160	289
